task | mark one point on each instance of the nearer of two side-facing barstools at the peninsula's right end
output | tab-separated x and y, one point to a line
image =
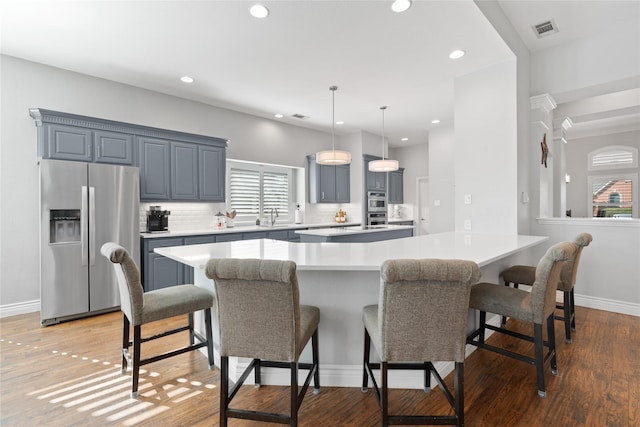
535	307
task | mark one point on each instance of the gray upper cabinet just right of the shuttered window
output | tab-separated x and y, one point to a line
328	184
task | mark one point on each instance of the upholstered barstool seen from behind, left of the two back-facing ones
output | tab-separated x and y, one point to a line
261	318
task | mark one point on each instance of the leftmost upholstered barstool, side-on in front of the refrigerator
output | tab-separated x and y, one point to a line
139	308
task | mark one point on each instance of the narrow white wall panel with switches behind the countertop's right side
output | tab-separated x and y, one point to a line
486	149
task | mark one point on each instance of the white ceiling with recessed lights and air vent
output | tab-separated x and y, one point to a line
286	62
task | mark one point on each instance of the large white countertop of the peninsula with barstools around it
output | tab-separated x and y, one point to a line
478	247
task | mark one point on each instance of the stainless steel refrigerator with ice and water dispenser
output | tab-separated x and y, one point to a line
84	205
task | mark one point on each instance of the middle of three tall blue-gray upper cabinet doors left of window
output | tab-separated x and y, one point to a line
184	171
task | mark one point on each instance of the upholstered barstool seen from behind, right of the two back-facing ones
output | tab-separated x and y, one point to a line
421	317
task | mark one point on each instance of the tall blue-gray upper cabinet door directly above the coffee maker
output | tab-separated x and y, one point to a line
154	169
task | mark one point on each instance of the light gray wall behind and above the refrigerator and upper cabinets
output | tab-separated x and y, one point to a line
26	85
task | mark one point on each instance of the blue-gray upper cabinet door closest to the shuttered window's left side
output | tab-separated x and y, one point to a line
211	173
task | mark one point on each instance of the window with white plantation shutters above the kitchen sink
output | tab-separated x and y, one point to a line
255	189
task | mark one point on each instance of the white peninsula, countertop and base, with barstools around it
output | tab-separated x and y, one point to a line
342	278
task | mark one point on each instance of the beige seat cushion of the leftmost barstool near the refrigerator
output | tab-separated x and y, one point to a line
174	301
